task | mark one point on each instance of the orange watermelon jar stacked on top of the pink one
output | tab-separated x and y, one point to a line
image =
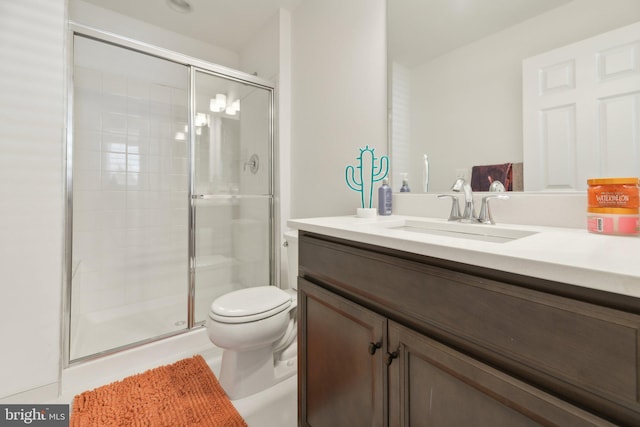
620	193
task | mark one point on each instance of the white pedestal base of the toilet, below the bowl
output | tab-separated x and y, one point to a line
248	372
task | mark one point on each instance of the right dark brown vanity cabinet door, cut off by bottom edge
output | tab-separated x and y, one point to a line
433	385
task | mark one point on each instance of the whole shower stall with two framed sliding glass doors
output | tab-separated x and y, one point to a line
170	191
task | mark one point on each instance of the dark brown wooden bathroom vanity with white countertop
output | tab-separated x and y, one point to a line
400	327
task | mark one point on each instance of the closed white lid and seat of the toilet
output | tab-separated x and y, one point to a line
249	305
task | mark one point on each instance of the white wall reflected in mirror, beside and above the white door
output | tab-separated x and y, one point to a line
466	106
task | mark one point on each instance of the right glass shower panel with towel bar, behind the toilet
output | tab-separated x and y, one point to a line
232	188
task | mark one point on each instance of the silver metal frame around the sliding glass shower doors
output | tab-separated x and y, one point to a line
193	65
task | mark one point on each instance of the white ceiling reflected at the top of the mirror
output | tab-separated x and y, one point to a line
420	30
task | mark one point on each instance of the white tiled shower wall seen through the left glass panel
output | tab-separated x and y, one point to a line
130	200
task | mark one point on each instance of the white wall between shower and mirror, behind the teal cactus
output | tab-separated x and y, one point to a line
338	99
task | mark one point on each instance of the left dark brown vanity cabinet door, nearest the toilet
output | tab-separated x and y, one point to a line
340	382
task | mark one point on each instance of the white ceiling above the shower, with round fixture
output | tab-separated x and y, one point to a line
225	23
